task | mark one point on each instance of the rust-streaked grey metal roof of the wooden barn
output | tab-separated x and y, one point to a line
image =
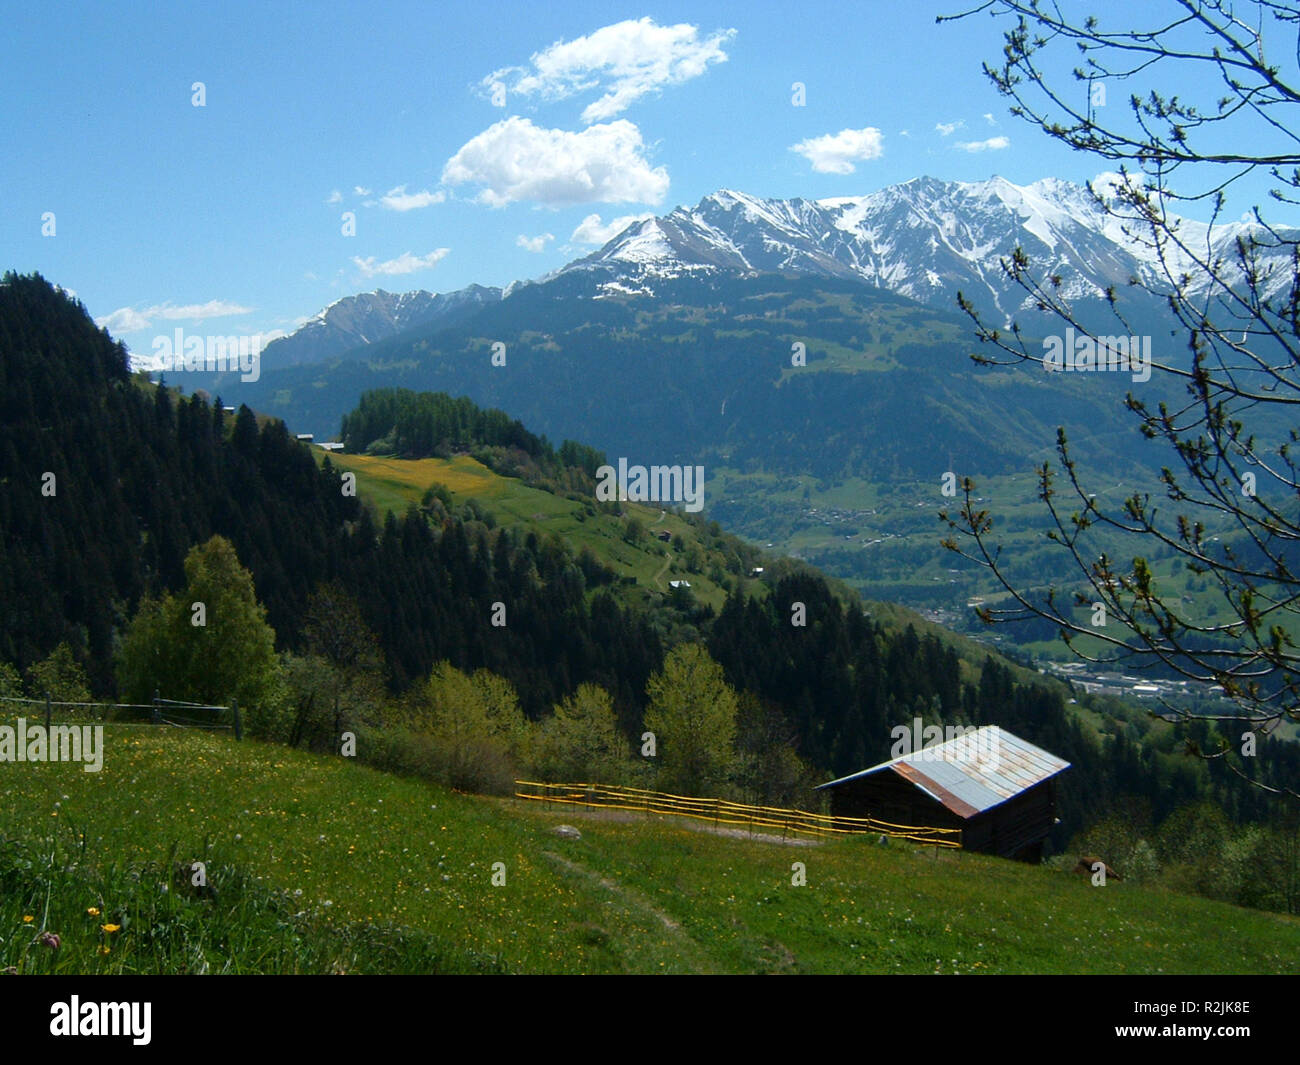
973	773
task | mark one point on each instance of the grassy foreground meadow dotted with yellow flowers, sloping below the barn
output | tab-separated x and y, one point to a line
631	897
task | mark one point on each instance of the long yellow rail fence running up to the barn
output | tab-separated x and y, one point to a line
722	812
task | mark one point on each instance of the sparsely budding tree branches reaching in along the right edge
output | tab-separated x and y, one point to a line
1214	106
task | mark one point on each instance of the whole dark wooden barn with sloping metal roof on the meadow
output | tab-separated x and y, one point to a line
996	789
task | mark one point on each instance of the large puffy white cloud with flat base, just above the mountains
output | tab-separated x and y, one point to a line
515	161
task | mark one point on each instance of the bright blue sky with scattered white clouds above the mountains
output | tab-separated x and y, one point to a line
229	217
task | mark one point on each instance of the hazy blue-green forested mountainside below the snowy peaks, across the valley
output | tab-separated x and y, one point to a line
837	460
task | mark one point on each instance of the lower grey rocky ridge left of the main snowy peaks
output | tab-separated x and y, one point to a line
374	317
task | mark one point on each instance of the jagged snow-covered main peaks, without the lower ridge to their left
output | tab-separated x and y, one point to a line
925	239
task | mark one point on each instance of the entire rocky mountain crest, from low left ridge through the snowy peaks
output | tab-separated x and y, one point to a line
926	240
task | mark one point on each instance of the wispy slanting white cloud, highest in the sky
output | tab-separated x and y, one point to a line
627	60
